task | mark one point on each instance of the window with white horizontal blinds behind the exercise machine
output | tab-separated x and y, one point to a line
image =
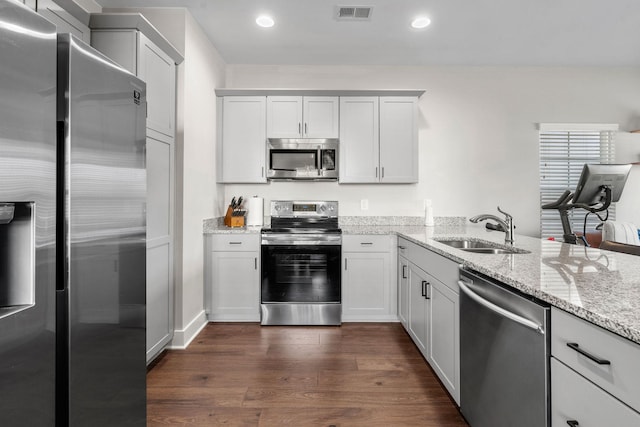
564	149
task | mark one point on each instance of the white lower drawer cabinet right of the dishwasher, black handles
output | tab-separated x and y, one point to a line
595	376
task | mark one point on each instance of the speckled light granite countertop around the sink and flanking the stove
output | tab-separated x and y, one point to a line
601	287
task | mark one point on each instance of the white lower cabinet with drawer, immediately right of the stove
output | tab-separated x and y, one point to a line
367	294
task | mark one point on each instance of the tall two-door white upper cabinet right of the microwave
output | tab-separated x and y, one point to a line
378	139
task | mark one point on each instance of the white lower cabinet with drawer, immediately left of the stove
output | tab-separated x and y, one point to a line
232	289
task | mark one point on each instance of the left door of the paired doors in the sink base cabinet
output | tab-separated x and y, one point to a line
418	308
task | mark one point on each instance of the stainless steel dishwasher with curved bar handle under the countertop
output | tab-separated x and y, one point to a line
504	355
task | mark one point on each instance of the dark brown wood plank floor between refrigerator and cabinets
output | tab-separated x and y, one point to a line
246	375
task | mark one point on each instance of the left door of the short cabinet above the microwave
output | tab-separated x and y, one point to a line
284	117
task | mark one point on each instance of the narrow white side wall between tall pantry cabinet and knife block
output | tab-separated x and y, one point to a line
203	72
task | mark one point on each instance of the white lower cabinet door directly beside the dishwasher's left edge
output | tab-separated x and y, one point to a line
444	351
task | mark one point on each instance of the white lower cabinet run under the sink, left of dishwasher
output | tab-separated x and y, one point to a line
428	298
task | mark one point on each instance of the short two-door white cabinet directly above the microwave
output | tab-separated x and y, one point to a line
302	117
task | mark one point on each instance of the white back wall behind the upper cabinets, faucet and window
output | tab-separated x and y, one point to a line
478	134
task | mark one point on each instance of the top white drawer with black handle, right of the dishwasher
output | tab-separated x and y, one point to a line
620	377
